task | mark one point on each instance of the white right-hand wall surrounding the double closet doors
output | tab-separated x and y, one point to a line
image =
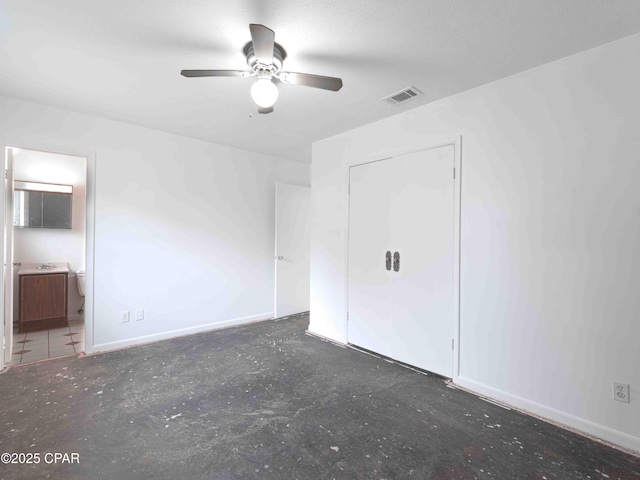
550	228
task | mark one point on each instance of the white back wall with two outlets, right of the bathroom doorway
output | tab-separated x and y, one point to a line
184	229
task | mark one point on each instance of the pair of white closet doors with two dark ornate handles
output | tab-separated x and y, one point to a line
404	205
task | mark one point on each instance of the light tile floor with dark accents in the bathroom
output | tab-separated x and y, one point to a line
56	342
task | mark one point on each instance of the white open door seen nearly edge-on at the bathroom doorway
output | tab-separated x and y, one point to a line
8	257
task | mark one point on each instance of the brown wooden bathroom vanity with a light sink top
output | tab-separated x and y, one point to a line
43	297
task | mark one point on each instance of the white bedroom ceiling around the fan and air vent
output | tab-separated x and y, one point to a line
121	59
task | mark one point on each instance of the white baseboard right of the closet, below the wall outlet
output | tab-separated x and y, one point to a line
580	425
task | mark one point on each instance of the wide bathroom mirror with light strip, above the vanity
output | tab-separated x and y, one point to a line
41	205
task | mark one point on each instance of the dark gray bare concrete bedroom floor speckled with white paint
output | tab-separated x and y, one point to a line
267	401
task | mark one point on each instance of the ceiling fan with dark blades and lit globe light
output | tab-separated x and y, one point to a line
264	58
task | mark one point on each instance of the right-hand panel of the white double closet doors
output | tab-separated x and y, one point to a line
421	204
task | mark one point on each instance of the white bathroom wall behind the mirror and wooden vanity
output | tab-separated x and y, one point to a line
38	245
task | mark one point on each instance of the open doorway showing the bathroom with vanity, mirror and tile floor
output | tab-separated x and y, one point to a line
45	240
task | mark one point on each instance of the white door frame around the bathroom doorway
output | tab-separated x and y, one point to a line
90	157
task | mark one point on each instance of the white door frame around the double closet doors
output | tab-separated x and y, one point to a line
456	142
